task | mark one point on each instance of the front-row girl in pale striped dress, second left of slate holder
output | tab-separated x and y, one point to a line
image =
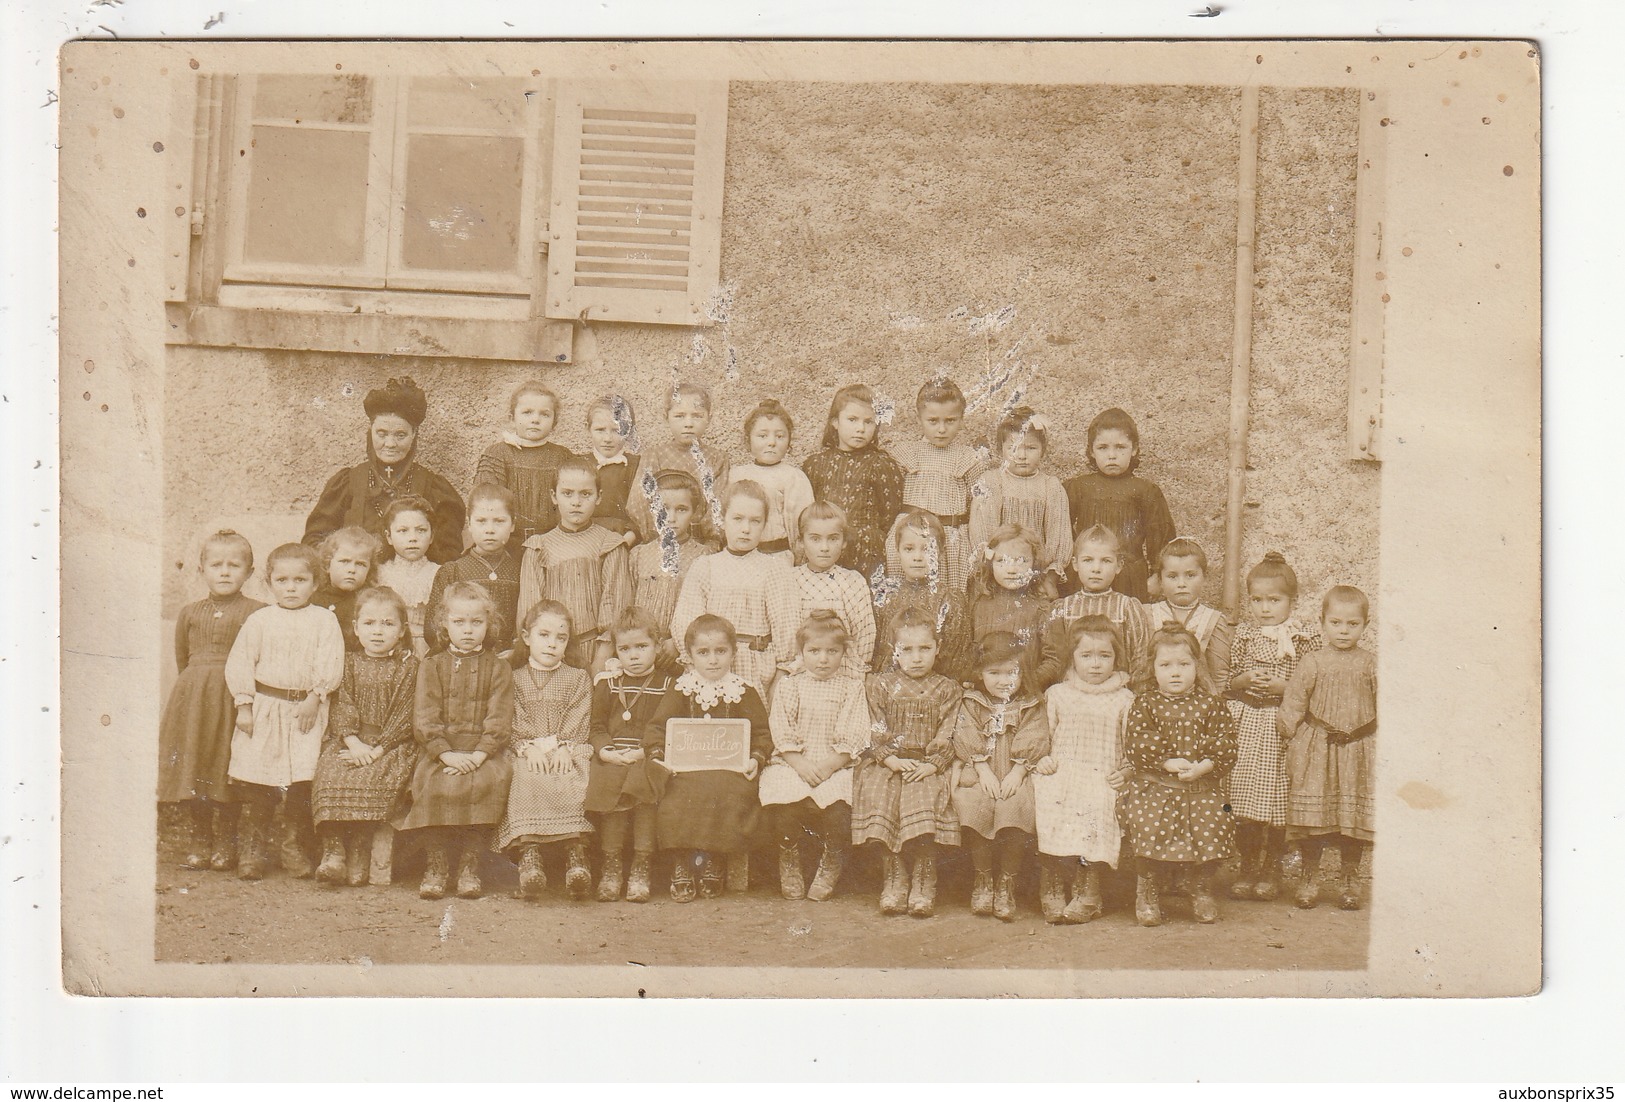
548	757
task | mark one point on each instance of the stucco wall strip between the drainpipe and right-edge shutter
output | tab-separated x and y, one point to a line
1315	505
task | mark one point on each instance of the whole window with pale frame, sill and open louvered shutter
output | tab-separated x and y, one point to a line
446	215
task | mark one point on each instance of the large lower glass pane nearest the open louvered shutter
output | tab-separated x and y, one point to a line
462	204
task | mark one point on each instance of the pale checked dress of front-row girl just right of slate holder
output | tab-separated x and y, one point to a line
818	719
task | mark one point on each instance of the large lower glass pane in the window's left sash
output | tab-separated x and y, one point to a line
308	197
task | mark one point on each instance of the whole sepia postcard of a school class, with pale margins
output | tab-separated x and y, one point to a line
802	519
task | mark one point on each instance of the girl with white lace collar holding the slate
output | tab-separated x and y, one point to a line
709	812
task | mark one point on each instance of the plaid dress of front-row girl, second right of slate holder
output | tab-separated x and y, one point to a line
911	719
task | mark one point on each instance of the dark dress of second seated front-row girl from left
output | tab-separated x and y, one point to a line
464	703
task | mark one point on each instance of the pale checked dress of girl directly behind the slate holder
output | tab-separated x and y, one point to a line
758	596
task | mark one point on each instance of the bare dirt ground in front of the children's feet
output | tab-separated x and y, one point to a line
214	919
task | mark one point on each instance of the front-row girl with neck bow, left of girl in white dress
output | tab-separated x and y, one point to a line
1002	732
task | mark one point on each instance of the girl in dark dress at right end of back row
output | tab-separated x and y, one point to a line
1112	495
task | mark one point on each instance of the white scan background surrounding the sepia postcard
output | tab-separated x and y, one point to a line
1566	1035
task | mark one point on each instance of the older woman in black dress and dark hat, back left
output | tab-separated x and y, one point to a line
360	495
